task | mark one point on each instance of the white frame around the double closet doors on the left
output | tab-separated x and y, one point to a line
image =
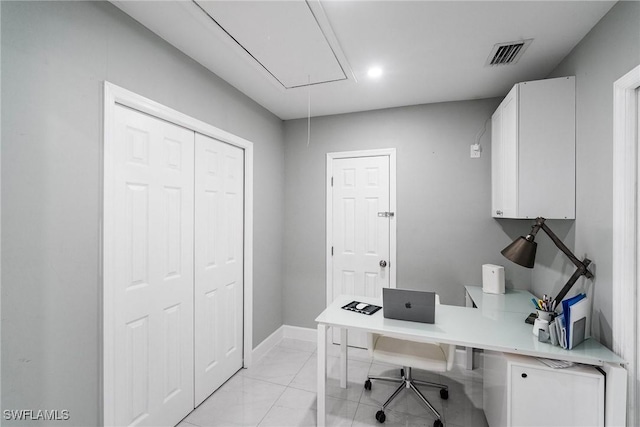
114	95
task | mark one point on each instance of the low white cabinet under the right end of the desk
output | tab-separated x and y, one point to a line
522	391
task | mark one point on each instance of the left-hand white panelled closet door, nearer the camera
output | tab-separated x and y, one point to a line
153	241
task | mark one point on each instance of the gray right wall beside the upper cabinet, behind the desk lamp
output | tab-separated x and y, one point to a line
608	52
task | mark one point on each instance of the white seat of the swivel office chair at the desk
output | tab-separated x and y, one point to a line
426	356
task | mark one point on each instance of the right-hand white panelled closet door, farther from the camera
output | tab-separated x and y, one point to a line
218	263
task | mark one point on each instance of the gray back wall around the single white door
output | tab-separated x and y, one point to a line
445	231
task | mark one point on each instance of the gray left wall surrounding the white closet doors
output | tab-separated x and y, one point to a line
55	57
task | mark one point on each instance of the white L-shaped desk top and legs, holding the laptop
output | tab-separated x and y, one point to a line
497	330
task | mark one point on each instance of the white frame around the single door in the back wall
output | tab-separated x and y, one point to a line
389	152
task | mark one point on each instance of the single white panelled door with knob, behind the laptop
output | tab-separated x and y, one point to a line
360	237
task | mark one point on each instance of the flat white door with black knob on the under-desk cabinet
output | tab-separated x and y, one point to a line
547	397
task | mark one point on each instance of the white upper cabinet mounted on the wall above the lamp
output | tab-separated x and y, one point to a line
533	169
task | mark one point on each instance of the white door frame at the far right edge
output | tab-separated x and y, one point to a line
626	233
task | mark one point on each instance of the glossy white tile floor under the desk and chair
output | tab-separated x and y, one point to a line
280	390
